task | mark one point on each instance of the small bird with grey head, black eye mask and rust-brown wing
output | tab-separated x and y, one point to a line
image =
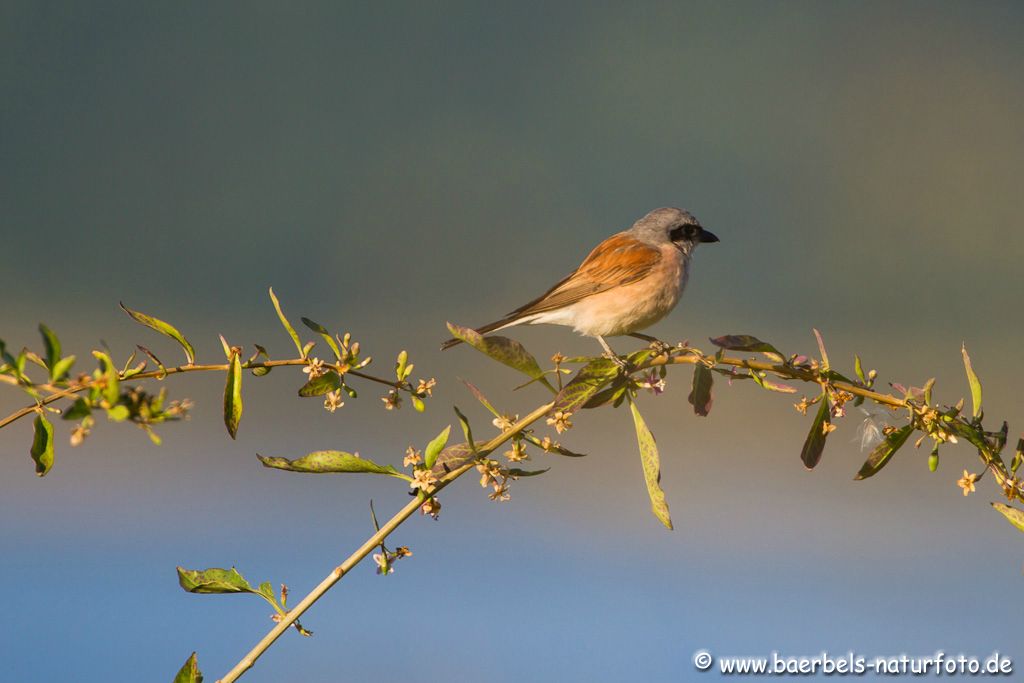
630	282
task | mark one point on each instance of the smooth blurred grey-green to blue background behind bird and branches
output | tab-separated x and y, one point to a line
390	167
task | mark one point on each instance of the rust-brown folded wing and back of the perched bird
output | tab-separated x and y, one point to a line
619	261
